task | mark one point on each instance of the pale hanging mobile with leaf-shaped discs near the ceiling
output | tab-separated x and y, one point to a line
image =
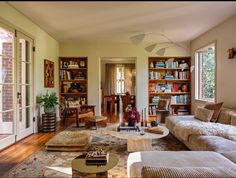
137	39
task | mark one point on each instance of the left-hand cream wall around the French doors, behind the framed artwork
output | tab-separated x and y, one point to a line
46	46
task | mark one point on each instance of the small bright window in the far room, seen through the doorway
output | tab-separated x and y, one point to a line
120	80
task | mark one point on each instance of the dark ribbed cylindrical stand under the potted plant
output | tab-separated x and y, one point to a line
49	122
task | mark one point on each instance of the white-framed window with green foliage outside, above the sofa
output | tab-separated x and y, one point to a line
205	73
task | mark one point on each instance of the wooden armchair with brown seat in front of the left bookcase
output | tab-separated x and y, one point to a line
74	108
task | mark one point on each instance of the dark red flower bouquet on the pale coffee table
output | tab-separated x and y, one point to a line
131	116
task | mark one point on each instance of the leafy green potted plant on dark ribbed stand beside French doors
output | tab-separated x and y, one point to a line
49	101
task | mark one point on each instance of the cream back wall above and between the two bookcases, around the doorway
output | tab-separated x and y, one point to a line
95	51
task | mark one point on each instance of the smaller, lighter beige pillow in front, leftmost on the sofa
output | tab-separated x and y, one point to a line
203	114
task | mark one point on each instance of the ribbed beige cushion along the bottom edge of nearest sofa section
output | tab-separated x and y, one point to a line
187	172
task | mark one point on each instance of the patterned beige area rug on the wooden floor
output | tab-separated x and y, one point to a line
58	164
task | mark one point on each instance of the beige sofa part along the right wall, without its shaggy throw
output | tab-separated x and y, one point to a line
198	142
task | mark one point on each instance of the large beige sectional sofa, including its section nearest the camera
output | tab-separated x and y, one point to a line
213	148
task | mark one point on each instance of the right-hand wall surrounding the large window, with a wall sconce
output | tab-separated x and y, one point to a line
224	35
